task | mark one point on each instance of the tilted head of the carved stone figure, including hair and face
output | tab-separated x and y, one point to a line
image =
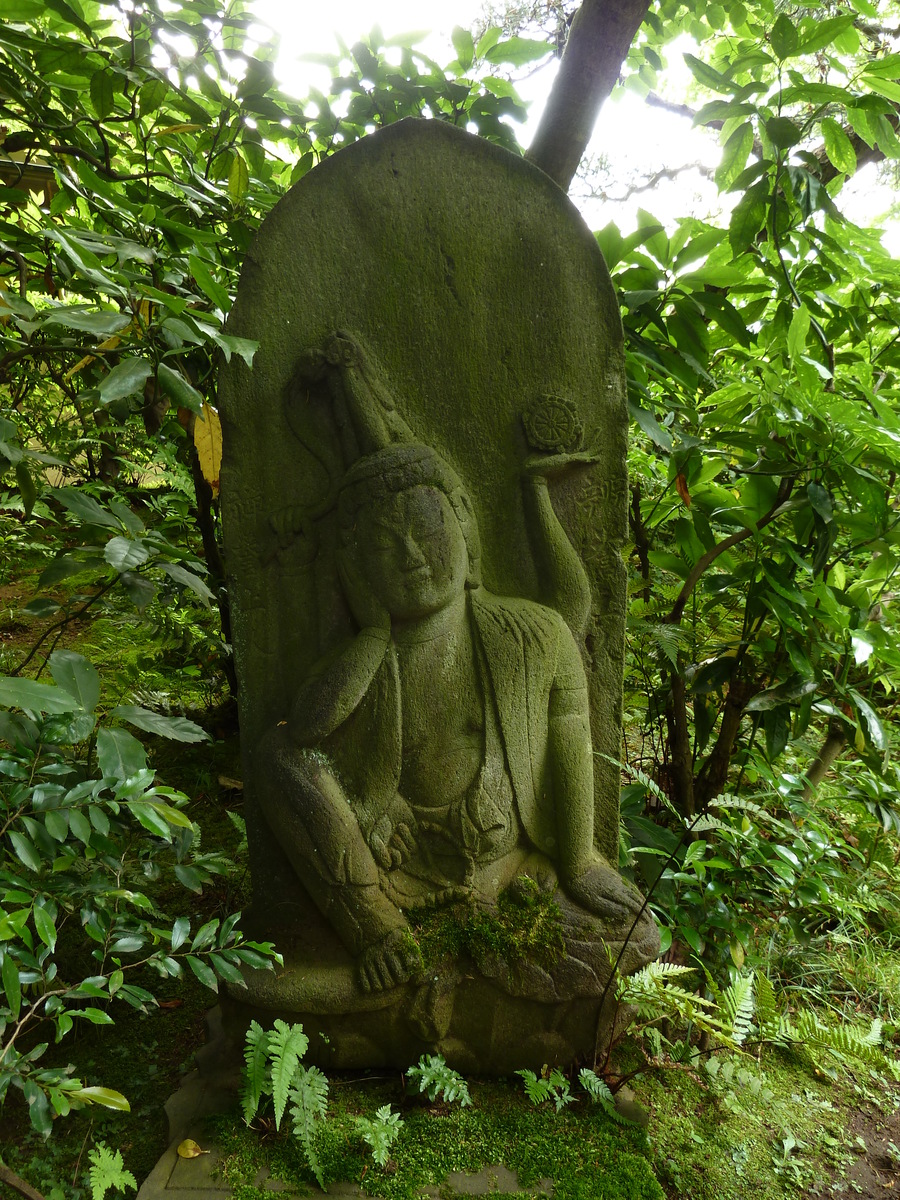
410	529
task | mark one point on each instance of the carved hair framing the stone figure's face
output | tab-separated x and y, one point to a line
398	469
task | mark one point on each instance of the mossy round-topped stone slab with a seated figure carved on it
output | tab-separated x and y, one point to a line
424	500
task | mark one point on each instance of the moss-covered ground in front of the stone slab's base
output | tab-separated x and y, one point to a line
705	1141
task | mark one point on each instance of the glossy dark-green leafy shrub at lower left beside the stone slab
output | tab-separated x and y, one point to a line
77	803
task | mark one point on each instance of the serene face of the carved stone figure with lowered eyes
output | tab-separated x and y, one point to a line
413	553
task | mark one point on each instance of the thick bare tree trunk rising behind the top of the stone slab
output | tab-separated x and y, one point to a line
599	40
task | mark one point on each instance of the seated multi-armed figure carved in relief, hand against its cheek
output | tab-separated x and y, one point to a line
441	755
